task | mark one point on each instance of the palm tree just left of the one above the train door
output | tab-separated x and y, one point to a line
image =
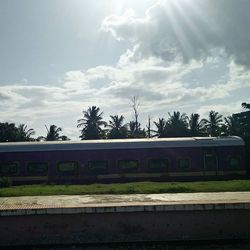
196	127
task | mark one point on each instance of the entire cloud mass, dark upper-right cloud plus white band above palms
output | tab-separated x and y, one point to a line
176	48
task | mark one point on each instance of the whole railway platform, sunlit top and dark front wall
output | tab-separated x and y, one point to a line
68	219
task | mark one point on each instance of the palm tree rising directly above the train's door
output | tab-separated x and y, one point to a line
213	123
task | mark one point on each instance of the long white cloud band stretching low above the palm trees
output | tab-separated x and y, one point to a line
157	84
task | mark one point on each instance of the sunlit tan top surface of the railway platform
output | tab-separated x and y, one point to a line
123	200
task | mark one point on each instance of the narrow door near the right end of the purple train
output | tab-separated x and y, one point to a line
210	162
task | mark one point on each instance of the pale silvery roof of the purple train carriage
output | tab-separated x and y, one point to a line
122	144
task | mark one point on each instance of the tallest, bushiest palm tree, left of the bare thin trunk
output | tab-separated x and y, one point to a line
91	123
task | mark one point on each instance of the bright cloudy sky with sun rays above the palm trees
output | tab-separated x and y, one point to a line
58	57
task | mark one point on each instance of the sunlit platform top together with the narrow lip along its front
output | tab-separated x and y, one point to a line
95	203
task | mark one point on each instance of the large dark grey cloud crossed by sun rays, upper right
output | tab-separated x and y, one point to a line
187	29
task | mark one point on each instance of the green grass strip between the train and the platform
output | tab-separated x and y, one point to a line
127	188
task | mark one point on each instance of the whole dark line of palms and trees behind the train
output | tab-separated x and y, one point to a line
92	126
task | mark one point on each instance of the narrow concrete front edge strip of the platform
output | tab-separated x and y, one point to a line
118	208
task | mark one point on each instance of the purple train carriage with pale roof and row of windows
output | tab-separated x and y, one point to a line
123	160
